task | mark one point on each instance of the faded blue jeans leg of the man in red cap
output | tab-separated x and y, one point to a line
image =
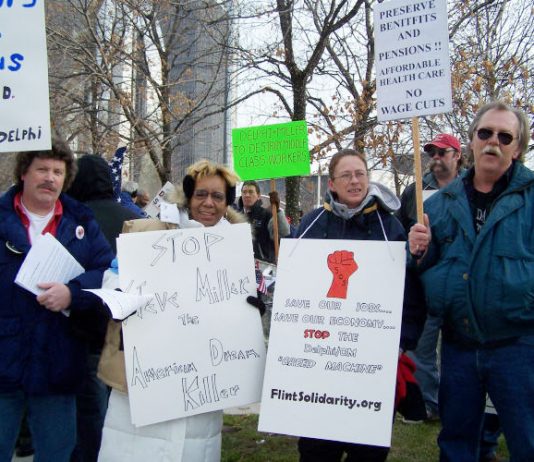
425	357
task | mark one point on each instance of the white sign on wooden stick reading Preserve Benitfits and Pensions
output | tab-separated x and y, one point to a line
413	76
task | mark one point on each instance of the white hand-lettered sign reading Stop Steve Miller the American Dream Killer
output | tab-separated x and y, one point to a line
197	346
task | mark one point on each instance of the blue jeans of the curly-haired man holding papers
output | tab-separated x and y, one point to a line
52	421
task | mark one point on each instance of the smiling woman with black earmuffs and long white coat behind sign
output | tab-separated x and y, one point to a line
209	191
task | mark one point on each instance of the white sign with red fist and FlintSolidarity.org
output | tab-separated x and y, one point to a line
334	340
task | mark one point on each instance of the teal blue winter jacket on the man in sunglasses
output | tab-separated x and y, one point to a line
482	285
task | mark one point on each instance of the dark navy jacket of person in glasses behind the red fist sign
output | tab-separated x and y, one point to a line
366	226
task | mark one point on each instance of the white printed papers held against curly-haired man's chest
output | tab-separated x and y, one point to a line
47	261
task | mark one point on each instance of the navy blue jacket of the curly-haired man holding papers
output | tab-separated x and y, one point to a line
39	352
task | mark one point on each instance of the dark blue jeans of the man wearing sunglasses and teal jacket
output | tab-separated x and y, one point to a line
506	373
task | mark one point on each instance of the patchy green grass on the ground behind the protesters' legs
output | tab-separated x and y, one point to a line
242	442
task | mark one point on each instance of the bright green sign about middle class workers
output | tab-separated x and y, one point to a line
271	151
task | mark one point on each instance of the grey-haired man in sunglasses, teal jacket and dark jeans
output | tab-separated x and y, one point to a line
475	254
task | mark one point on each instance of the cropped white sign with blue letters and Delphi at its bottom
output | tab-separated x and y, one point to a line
24	105
